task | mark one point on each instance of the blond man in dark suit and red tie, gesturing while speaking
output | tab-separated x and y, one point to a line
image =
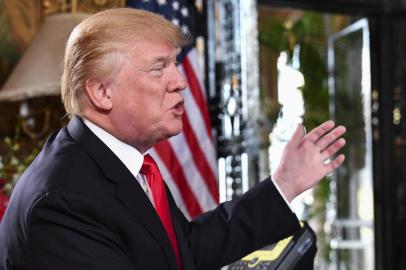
88	201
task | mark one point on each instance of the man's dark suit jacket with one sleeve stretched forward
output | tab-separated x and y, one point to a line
78	207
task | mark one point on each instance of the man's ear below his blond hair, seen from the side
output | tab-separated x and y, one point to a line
99	94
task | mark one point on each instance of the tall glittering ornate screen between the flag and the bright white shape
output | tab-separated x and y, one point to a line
233	85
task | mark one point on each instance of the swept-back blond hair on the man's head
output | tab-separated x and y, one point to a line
97	45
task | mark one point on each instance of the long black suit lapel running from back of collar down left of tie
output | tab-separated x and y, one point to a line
128	191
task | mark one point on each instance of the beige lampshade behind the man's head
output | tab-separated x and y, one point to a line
39	71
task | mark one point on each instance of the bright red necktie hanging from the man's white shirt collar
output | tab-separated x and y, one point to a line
157	186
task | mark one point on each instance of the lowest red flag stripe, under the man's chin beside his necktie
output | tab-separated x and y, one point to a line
168	157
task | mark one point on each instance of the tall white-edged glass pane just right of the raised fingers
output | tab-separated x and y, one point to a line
352	230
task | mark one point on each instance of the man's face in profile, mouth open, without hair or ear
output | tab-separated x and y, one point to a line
147	99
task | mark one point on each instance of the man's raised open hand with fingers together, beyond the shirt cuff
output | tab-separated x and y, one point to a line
308	158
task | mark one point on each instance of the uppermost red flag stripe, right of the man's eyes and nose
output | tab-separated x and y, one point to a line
197	94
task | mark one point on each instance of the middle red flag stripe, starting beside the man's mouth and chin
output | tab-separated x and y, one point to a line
199	160
